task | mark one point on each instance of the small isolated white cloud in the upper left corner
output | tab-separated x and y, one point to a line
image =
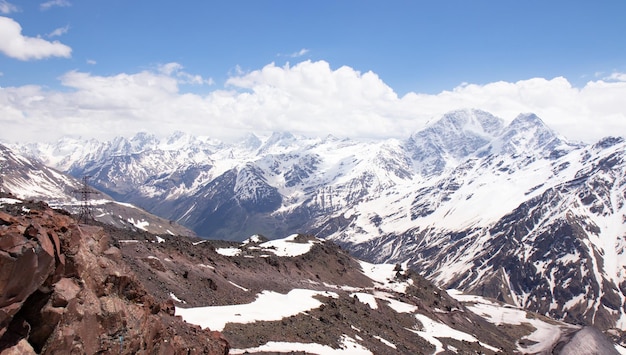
15	45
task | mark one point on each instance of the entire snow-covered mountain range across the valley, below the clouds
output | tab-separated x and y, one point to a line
511	211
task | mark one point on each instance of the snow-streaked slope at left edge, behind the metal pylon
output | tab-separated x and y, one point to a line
29	179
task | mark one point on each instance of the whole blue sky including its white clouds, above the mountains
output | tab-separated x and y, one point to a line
200	54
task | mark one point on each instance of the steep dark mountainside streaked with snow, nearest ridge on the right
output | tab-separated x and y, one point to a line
559	251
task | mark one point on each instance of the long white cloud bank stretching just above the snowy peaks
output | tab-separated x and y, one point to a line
308	98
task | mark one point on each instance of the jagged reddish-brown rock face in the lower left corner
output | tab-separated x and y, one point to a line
65	289
